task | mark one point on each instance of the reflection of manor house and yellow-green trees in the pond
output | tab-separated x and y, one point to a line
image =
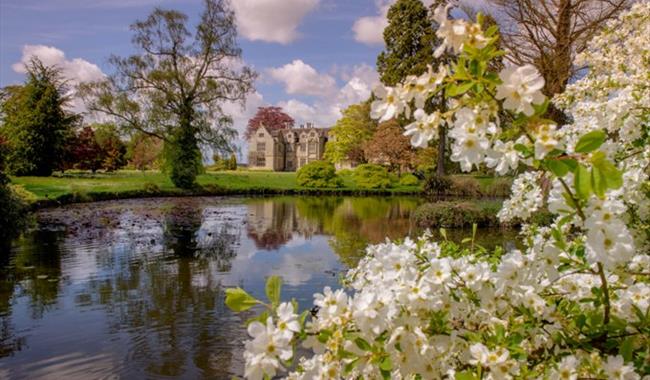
352	222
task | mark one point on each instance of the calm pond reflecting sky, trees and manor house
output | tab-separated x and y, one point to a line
135	289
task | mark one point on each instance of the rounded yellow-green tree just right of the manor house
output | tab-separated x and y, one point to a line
350	133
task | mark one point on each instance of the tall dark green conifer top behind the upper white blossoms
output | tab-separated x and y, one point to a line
410	42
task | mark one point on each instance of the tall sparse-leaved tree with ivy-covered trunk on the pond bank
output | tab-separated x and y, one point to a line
176	84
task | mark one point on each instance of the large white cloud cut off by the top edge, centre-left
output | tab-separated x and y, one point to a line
271	20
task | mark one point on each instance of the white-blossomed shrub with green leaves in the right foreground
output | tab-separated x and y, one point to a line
574	304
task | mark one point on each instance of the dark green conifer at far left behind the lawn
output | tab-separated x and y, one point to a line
35	122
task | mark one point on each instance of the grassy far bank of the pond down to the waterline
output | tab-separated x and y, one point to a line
85	187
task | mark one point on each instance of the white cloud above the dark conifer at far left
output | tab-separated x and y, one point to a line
75	71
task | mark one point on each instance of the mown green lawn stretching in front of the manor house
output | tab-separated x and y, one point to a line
133	183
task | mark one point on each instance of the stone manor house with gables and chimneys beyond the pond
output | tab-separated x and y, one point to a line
286	149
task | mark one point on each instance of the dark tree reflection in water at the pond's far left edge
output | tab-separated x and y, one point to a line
33	270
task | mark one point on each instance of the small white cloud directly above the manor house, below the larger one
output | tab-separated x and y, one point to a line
300	78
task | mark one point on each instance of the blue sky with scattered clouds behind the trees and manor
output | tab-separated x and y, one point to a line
314	57
